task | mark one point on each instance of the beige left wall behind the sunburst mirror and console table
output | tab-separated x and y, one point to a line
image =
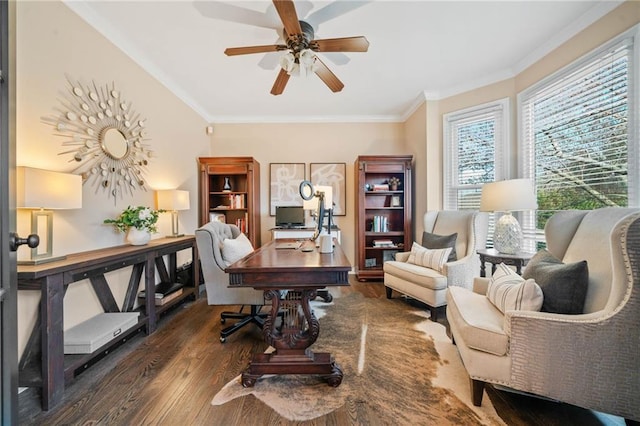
52	42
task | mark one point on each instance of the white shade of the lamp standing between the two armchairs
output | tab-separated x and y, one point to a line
508	195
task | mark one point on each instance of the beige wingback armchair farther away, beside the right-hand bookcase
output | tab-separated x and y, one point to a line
430	285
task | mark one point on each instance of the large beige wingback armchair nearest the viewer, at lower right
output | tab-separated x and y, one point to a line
589	359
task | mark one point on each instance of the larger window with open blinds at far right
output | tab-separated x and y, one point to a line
579	142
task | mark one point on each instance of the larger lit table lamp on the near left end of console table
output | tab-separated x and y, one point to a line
44	191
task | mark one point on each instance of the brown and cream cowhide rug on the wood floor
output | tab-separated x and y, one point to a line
395	360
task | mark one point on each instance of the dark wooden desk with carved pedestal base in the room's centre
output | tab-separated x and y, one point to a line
302	273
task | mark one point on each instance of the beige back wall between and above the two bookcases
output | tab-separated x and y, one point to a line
309	143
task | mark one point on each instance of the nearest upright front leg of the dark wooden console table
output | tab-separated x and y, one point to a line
52	338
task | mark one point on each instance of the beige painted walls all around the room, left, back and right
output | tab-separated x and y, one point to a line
53	42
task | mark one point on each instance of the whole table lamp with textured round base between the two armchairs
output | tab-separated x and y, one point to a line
508	196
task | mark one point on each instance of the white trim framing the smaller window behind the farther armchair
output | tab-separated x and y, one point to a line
502	146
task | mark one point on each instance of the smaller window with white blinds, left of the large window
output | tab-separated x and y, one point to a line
475	152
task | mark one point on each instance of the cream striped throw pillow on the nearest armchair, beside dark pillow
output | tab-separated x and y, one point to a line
508	291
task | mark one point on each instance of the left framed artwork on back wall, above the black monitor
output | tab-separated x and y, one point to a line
284	184
